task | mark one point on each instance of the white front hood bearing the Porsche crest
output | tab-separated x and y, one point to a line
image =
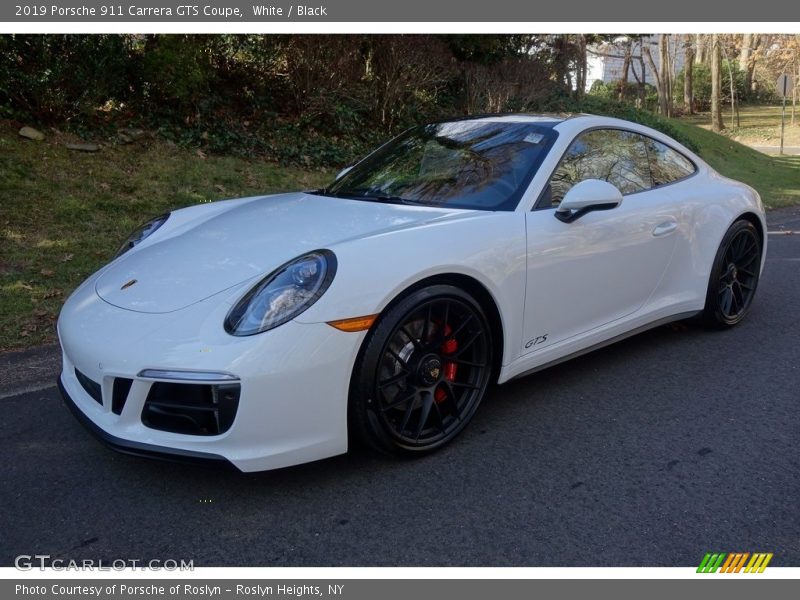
187	262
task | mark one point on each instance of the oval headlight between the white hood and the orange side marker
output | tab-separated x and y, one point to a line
283	294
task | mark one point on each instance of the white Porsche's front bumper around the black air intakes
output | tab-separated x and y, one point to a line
294	381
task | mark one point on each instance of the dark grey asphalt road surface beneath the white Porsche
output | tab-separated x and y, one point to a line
650	452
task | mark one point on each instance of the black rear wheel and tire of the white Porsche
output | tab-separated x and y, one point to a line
734	276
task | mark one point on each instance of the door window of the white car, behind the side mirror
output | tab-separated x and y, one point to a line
613	155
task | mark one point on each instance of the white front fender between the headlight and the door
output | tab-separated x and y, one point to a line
489	247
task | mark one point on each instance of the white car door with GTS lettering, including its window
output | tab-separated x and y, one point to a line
604	265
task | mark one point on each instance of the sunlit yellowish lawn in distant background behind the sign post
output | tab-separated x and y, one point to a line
758	125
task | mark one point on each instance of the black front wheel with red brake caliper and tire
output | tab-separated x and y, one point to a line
422	372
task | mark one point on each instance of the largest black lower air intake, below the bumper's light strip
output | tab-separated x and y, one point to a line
191	408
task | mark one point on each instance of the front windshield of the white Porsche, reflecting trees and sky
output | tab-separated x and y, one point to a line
463	164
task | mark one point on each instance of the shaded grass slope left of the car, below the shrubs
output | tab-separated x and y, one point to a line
64	213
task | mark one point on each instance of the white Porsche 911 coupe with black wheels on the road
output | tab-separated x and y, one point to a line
268	331
